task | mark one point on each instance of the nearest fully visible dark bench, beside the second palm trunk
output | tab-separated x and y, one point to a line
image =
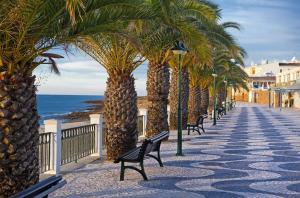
138	154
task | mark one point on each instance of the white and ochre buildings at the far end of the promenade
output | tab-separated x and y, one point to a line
265	81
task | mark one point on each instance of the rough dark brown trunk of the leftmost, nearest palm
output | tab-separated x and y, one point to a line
19	135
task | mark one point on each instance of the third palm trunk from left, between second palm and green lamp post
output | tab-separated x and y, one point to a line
158	85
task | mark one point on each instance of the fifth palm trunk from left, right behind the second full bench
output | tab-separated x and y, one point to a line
194	104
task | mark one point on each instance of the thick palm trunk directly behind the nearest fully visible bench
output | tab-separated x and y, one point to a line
120	114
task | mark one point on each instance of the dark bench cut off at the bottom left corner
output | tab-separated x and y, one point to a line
42	189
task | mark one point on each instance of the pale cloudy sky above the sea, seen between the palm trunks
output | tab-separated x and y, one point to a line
82	77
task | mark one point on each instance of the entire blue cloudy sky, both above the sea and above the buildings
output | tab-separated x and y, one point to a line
270	30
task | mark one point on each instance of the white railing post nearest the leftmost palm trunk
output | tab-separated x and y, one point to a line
54	127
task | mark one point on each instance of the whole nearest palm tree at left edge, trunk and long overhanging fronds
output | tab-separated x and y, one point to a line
29	29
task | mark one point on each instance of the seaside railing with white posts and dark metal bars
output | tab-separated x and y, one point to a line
61	146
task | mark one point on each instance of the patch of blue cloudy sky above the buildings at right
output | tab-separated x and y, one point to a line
270	27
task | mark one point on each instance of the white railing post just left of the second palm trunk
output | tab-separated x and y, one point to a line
97	119
